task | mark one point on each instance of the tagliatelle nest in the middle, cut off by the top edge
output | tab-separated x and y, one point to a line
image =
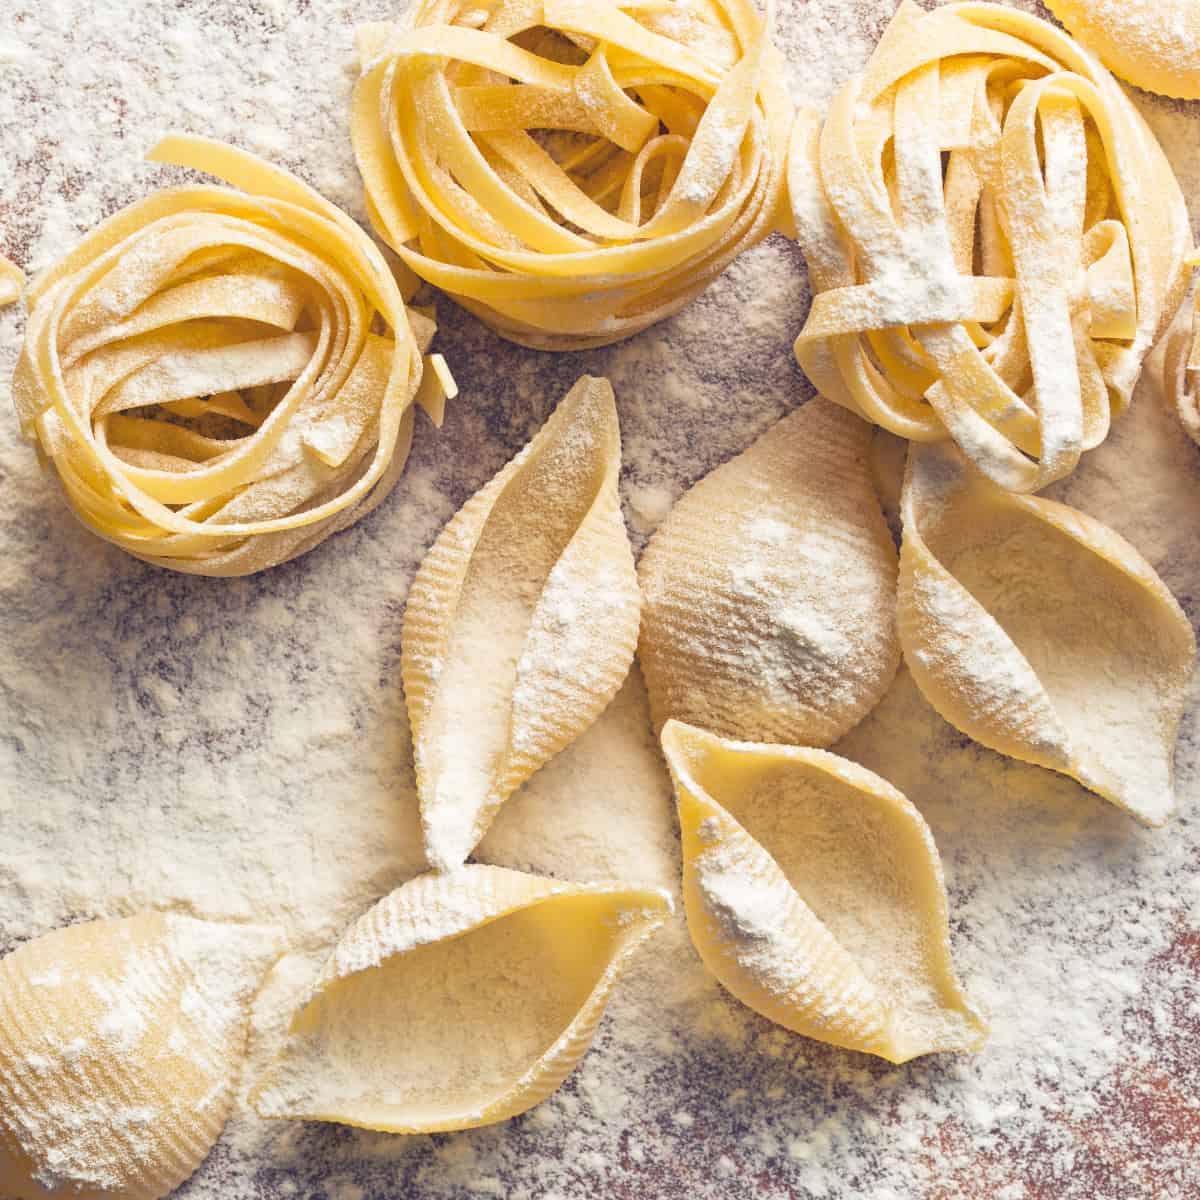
572	171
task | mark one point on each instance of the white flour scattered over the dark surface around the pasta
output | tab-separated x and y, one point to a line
238	749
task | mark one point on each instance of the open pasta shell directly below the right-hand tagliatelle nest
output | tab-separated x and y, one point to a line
1042	634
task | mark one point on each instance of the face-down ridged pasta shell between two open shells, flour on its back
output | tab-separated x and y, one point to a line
770	591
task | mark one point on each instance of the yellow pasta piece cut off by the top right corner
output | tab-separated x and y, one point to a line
1151	44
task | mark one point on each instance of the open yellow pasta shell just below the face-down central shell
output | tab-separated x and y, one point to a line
814	893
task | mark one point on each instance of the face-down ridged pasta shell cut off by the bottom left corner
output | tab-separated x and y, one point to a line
121	1046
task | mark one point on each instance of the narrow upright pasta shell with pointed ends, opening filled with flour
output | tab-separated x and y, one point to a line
521	623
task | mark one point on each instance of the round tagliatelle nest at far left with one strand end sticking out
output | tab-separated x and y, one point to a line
223	380
